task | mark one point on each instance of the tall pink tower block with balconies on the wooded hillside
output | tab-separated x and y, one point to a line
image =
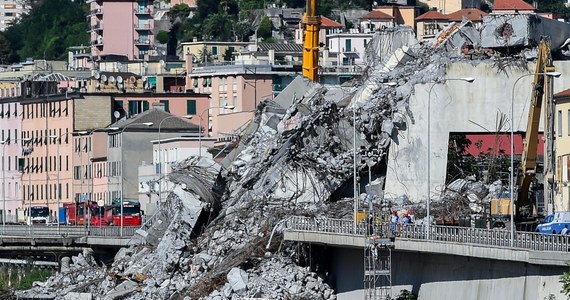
122	28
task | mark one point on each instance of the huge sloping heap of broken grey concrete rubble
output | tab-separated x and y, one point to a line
211	239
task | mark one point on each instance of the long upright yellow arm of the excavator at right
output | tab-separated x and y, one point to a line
528	162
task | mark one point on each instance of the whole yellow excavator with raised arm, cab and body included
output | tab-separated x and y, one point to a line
526	206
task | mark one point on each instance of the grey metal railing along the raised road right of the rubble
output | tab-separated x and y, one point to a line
474	236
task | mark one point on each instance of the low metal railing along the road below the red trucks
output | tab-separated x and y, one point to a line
66	231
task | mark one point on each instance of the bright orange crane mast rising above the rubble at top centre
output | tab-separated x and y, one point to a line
312	23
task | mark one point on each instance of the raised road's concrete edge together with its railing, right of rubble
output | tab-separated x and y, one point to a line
528	247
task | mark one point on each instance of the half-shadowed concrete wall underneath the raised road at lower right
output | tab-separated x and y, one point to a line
440	276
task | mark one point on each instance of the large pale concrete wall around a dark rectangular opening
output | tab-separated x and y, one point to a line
456	106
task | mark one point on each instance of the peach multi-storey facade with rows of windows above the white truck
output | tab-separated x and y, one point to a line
48	165
